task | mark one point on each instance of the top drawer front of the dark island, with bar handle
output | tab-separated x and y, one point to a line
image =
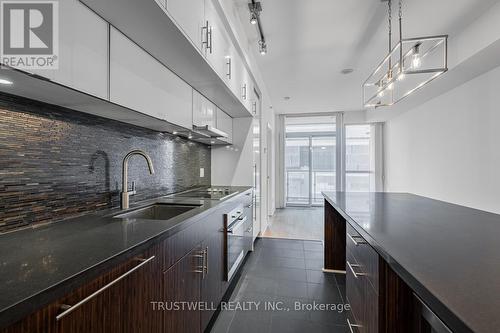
364	255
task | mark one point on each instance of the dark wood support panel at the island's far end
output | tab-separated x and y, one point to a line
335	245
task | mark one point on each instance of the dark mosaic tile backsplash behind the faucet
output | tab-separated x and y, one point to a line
57	163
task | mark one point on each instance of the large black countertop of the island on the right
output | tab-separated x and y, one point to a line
448	254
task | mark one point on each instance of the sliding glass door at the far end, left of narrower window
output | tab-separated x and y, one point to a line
310	159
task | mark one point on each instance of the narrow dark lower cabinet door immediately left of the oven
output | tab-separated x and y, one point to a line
212	280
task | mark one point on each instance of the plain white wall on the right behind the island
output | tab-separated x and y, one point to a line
449	147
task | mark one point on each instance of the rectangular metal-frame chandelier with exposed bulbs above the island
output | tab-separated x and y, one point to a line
409	65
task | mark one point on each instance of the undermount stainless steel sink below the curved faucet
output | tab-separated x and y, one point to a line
158	211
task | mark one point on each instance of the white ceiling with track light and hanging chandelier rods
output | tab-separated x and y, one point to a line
311	41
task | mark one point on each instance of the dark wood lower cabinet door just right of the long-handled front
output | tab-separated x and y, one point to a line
181	284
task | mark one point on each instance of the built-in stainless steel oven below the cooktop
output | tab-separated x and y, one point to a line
238	234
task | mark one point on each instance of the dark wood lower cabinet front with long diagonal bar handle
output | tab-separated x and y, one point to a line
118	301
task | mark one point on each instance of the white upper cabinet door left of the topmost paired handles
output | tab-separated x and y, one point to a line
190	16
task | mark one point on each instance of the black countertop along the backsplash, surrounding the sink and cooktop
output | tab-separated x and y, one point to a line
40	264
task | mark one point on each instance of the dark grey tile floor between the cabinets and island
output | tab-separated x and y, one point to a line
283	272
